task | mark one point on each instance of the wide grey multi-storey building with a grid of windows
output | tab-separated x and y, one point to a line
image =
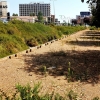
34	8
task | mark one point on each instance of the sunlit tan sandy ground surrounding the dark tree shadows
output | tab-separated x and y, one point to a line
15	70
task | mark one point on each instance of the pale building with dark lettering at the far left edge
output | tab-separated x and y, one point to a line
3	8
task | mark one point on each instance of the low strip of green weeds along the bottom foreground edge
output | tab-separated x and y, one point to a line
34	93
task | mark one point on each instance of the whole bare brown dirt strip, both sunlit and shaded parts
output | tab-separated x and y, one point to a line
81	52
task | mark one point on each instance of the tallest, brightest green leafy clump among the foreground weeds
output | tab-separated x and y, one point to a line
28	93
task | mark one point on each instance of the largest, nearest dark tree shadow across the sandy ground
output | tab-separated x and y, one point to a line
76	65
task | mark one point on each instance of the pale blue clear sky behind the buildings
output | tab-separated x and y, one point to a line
63	9
